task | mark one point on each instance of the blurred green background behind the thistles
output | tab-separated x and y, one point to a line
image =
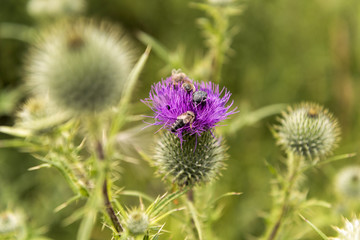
285	52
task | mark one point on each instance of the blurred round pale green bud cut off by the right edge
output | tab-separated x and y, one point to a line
347	182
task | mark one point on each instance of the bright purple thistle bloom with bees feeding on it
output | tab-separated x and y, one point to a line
169	101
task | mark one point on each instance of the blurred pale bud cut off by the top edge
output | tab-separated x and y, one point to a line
54	8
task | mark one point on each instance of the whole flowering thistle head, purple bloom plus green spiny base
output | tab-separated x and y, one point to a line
189	152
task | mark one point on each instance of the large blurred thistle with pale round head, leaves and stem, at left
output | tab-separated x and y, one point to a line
76	71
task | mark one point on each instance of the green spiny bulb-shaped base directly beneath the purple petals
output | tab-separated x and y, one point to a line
196	159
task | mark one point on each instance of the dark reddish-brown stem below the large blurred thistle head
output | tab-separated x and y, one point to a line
109	208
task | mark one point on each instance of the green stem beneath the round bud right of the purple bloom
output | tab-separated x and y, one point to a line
290	181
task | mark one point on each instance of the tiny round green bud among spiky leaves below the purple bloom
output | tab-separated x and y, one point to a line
137	222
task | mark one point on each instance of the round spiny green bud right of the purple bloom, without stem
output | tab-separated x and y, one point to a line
308	130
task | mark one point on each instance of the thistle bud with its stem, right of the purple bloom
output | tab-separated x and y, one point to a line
305	132
